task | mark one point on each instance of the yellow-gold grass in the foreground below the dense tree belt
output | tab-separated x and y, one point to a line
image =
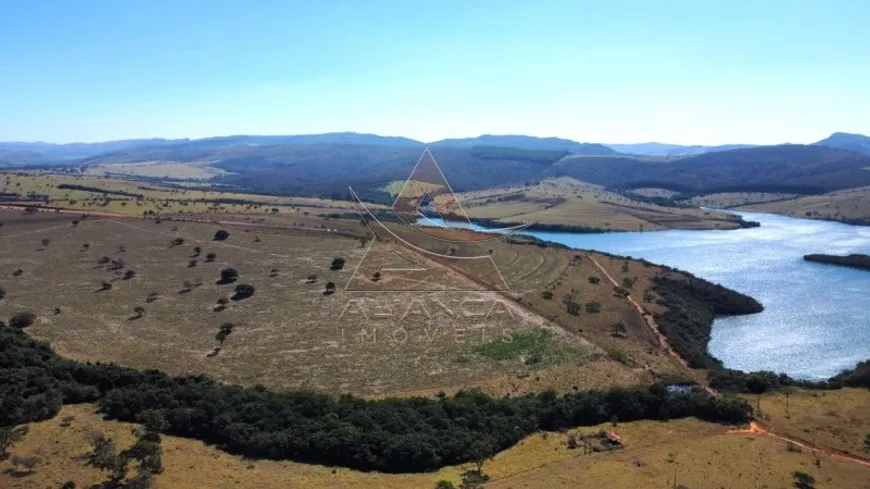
698	454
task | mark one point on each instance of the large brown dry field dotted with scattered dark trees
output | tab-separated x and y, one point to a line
290	334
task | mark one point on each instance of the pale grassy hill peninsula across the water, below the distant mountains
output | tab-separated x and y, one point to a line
569	202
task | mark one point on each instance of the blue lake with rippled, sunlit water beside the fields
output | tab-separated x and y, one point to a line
816	320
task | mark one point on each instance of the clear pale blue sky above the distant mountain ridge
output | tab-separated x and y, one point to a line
693	72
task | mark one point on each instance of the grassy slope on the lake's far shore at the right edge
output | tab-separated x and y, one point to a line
844	205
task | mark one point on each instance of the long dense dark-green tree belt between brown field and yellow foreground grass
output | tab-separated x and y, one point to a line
391	435
